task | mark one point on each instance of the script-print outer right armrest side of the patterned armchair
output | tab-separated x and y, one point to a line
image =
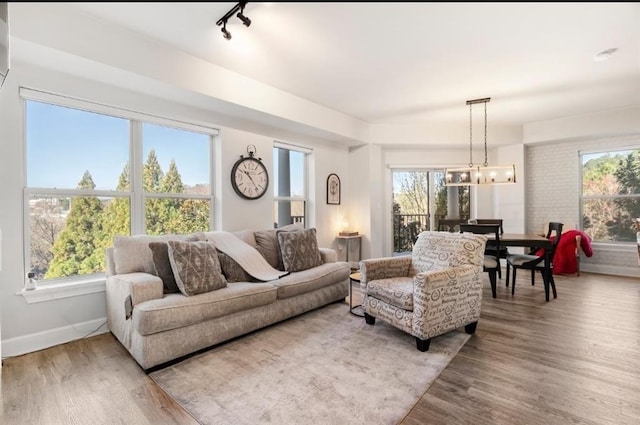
446	299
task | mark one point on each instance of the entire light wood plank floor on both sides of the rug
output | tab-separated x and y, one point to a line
575	359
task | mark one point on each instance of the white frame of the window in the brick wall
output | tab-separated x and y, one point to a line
630	245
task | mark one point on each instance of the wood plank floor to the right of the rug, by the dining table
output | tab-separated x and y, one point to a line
573	360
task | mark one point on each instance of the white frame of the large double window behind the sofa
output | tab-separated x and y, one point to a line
68	286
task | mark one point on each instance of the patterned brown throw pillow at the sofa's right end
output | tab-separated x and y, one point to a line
299	250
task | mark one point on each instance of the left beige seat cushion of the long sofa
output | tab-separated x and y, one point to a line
175	311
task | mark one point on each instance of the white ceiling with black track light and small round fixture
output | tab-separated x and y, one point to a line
408	63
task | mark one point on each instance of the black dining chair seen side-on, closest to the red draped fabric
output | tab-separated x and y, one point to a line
532	261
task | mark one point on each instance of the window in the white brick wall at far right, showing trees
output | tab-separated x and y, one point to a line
610	198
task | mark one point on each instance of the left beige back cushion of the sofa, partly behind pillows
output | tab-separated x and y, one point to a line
132	254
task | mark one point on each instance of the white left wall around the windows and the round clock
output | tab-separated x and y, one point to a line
27	327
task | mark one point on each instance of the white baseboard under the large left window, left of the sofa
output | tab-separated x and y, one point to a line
40	340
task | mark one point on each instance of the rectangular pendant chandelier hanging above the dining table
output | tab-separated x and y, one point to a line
475	175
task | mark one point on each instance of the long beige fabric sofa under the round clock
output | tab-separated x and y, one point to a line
157	327
